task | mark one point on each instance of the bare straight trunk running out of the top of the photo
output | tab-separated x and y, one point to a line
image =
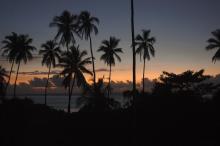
133	49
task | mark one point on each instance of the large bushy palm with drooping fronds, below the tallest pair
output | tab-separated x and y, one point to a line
74	65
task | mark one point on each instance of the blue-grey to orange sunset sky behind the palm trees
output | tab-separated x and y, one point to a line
181	28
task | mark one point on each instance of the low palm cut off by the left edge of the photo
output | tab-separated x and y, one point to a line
3	76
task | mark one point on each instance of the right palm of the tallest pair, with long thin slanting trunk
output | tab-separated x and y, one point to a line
88	25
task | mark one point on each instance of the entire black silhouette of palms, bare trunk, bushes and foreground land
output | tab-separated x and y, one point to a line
182	109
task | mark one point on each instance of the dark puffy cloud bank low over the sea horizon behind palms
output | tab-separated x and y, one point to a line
37	86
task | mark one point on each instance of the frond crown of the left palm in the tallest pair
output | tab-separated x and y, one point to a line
67	28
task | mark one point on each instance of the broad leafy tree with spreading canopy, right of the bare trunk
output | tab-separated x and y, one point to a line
189	83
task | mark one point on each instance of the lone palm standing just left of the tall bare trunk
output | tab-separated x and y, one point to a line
110	50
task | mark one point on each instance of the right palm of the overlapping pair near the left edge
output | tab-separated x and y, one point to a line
23	52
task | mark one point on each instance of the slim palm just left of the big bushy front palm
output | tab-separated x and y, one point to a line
51	53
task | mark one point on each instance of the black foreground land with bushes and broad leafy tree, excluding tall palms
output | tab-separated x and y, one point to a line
177	112
